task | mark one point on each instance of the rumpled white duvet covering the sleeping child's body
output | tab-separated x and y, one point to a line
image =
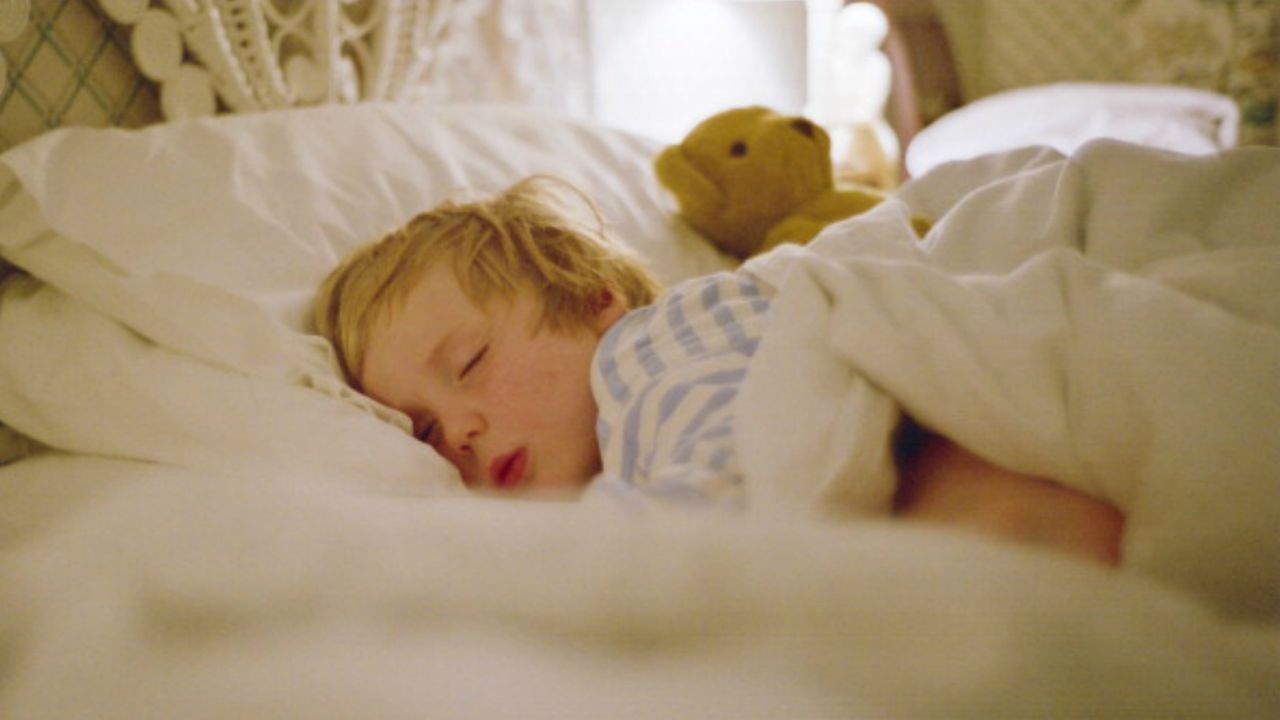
1112	321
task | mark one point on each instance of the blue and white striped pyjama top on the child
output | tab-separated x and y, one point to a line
665	379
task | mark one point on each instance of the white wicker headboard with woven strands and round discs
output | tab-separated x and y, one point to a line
264	54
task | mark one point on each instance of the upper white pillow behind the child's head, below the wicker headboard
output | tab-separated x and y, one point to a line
271	200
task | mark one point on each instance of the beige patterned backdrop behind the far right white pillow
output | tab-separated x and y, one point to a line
1228	47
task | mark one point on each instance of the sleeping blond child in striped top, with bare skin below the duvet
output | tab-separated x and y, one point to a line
537	356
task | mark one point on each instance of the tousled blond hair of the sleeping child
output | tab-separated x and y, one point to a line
524	238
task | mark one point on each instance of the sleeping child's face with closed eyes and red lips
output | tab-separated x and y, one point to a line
506	402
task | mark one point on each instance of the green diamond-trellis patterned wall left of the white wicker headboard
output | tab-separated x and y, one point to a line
68	65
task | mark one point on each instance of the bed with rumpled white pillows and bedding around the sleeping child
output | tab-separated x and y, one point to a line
199	520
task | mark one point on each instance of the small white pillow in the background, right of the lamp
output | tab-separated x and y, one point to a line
1067	116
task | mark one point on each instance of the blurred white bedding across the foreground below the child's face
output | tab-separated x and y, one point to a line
148	593
